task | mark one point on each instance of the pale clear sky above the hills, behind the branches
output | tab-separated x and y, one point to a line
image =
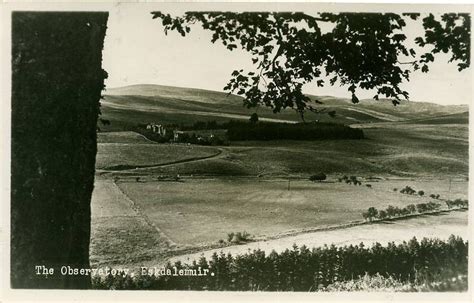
137	51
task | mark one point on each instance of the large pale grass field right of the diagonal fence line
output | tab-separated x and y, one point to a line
202	211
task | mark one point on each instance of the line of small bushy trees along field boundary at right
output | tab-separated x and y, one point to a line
395	211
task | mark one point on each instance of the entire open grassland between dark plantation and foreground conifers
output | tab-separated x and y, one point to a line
153	202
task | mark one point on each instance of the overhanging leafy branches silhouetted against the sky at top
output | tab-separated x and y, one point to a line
357	50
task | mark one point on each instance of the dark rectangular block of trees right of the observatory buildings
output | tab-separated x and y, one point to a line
287	131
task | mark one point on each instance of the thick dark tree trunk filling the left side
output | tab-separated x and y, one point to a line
57	81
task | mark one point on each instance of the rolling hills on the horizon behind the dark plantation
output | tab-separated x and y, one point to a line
127	106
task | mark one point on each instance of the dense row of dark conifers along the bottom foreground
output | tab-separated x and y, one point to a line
303	269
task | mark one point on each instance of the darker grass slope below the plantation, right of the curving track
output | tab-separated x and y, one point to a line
389	150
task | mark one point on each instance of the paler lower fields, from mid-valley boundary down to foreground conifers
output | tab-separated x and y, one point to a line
134	225
